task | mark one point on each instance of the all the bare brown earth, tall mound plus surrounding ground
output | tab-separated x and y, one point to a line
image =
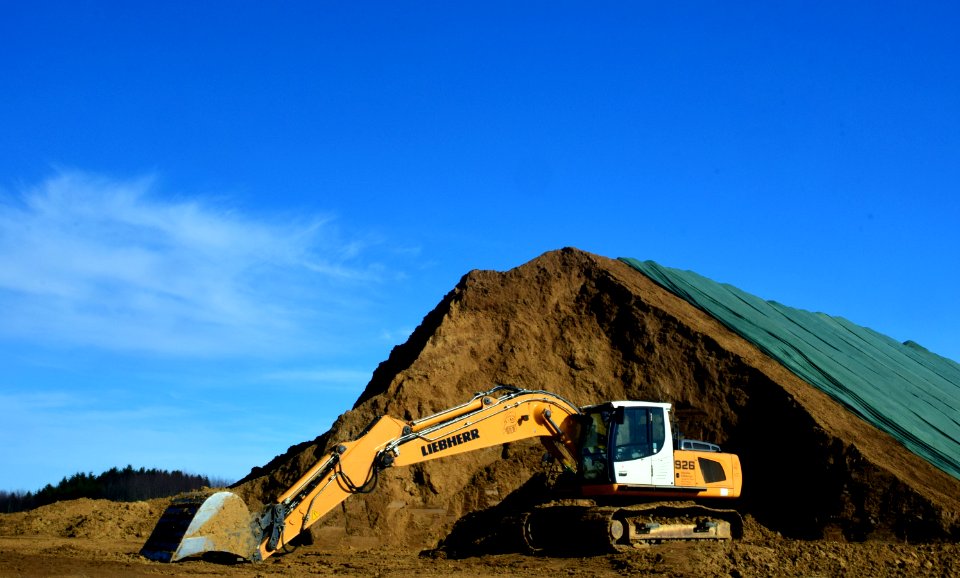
825	494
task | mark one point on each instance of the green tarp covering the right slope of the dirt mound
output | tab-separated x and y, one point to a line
901	388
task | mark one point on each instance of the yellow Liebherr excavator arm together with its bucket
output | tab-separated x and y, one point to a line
501	415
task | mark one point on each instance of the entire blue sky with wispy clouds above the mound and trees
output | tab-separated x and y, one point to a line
217	218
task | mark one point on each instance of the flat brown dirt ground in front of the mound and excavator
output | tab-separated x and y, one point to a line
96	538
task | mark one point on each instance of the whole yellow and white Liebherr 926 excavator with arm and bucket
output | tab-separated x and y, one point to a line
633	482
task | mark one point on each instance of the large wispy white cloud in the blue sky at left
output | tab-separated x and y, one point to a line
95	262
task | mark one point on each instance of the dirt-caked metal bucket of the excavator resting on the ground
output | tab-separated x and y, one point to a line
218	525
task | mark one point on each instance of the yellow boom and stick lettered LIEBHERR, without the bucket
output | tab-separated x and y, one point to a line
501	415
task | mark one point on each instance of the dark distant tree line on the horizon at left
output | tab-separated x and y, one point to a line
120	485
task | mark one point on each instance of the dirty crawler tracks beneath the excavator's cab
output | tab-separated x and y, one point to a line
583	527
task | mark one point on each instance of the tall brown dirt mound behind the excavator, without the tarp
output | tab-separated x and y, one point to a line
592	329
